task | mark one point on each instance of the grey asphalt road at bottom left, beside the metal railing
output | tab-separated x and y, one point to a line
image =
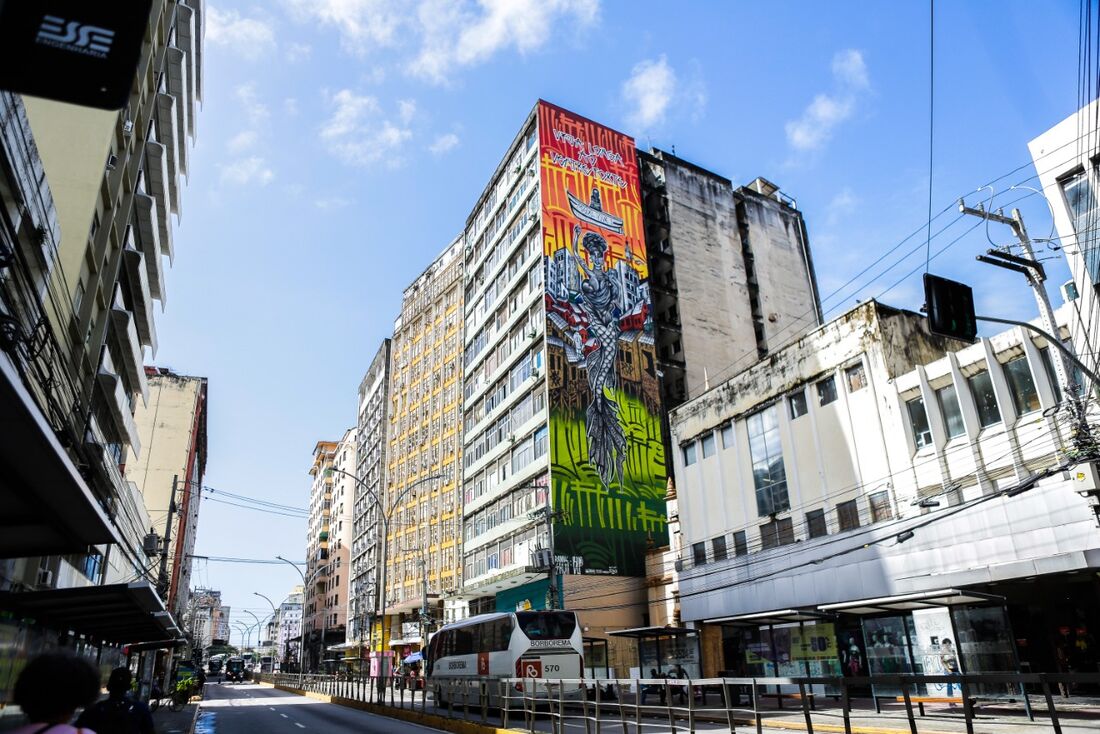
246	709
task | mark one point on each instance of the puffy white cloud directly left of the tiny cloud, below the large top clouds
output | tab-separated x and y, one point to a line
359	134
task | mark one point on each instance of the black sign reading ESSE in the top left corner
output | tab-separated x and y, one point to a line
73	51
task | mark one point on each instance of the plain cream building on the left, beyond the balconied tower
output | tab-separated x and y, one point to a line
172	425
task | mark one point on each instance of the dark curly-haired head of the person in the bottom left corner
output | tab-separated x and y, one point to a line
50	691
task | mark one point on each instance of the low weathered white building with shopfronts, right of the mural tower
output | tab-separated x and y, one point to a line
882	489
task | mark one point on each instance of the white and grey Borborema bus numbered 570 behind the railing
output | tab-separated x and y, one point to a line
544	644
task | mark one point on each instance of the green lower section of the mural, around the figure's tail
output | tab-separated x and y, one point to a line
606	531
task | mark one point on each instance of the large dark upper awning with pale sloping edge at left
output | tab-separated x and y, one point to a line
46	506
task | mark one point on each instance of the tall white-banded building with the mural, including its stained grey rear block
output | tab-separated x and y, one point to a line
578	334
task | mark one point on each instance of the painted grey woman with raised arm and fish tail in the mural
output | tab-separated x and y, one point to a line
600	299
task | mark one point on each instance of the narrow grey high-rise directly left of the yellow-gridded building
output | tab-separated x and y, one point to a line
372	428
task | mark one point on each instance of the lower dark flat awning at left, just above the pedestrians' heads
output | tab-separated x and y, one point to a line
125	614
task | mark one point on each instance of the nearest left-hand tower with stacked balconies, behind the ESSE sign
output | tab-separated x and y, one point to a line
90	195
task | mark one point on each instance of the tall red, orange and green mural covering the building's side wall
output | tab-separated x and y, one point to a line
607	457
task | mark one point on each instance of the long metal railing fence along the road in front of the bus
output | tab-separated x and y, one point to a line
634	706
